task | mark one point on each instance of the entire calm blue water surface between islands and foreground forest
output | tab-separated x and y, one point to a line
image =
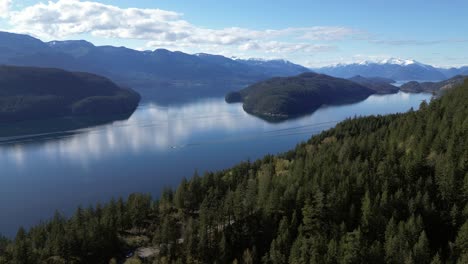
154	148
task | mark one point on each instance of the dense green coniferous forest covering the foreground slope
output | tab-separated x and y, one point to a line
385	189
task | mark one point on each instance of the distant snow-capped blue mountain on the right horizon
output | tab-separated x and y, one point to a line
393	68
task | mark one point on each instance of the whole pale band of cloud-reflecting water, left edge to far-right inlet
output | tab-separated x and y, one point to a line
159	129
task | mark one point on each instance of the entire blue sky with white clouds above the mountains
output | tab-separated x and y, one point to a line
309	32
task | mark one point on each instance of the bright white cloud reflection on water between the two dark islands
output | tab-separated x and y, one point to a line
150	127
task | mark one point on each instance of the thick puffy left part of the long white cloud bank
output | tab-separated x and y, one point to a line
70	17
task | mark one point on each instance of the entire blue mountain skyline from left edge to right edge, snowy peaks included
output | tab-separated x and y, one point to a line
164	74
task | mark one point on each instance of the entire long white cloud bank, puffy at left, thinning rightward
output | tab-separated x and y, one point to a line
161	28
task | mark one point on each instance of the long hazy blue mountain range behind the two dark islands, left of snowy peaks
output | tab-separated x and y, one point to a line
169	71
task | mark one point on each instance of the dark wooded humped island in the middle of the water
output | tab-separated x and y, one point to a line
280	98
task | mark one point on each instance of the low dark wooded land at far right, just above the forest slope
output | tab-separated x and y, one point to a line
432	87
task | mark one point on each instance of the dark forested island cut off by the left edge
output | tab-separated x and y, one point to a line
29	93
